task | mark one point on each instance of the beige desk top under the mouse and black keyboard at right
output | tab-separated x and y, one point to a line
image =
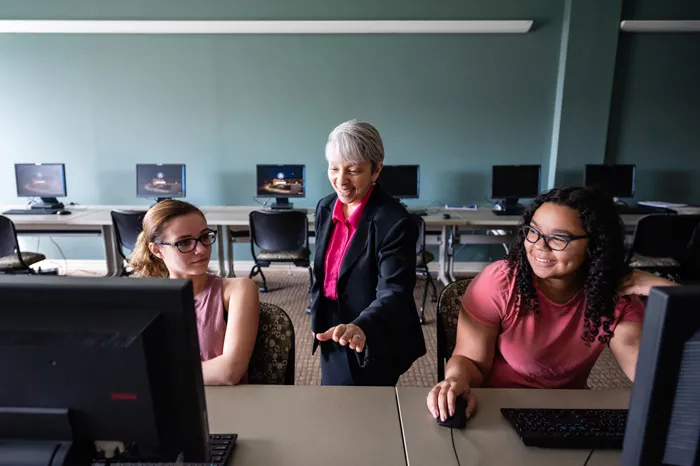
488	439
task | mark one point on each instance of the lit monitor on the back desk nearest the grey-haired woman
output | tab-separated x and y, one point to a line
281	182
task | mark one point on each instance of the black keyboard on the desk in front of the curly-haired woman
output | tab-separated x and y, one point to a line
569	428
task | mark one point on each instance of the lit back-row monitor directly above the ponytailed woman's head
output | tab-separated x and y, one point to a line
162	181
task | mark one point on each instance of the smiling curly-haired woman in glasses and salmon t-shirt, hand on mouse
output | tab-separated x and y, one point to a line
541	317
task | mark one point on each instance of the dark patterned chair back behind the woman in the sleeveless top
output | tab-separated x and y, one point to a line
272	361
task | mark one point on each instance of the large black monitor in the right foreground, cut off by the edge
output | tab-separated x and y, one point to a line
663	423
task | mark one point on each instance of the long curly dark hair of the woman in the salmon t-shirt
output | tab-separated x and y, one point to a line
605	264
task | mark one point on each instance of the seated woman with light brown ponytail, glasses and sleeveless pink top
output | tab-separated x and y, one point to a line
176	242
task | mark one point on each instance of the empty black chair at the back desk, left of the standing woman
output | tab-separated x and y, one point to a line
281	236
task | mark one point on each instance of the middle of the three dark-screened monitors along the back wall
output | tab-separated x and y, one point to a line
511	183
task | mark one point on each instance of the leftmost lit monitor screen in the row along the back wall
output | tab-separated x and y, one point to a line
40	179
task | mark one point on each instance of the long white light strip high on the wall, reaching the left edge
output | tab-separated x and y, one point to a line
263	27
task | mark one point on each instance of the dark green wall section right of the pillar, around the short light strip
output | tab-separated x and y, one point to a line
655	118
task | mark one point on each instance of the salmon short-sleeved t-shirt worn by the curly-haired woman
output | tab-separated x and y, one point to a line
544	351
